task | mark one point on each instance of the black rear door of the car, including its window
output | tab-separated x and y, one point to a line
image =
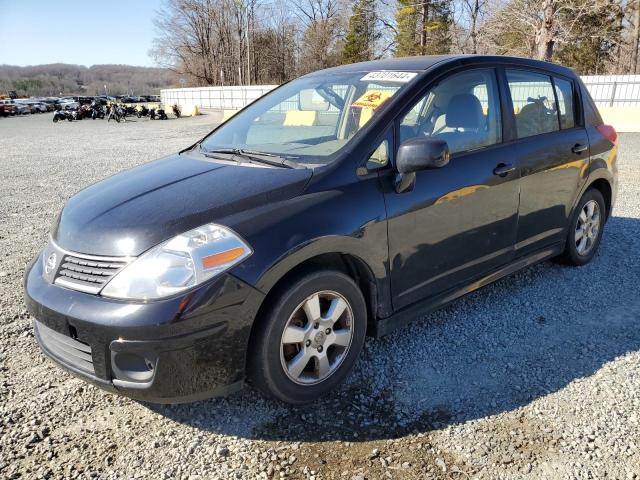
553	149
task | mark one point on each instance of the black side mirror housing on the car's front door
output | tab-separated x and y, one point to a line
419	154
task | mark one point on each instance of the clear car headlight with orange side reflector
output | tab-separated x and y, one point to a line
179	264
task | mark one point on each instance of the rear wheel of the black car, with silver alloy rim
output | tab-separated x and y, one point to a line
585	229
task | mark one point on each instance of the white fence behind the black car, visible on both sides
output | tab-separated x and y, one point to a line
606	90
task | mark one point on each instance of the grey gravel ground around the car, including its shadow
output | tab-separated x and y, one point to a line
536	376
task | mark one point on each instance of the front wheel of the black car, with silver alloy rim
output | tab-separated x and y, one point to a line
272	368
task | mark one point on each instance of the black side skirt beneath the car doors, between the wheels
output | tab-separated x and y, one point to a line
414	312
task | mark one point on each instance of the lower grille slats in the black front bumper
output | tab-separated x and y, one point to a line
66	349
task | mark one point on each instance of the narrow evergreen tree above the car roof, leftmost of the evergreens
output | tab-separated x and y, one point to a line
362	34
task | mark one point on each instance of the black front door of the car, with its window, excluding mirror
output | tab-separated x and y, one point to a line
459	221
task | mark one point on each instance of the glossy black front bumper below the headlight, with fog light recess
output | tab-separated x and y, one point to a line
181	349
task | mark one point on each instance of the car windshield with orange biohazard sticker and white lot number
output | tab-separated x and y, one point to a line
311	118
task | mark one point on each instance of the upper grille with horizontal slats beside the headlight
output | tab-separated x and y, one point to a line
87	274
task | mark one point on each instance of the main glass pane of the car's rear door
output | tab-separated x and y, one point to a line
534	104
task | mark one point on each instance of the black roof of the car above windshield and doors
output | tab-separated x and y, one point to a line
423	63
